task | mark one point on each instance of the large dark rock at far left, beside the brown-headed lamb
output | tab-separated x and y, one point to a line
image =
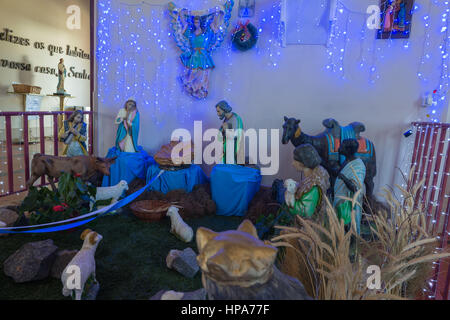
31	262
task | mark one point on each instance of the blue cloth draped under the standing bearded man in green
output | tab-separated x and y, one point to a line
233	188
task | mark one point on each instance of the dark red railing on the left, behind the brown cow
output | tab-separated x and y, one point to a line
9	146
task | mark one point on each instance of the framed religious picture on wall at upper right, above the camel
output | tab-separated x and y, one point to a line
396	17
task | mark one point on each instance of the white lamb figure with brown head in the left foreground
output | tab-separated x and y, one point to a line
83	265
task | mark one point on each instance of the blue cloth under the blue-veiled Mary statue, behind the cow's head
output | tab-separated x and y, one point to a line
128	166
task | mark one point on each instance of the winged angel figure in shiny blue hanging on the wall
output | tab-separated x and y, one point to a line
198	34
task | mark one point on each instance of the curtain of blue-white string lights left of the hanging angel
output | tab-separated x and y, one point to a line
137	58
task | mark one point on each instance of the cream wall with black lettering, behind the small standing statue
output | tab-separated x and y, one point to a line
43	21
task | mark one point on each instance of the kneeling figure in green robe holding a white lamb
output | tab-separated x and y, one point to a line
308	198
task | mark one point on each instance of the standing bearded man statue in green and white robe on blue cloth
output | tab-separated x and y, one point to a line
231	134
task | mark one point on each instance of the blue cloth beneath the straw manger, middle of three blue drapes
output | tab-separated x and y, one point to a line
185	179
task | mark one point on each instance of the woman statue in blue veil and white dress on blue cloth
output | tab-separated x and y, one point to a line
128	130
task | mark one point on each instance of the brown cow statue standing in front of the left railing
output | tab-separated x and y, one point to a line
52	166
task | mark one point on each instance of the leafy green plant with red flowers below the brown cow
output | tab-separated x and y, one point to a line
72	199
